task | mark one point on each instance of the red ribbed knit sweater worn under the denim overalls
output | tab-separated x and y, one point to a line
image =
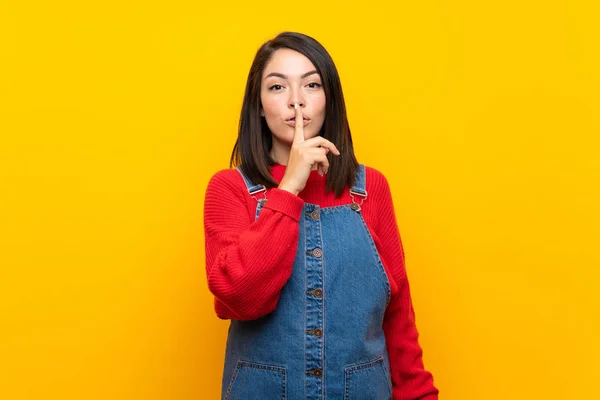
248	262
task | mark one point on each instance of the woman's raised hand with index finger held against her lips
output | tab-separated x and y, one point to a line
304	155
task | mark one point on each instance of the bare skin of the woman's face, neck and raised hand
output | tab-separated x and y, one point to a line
295	90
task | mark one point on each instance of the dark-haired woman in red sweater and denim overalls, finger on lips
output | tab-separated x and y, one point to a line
303	253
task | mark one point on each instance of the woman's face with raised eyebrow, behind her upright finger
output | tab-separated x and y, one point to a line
289	77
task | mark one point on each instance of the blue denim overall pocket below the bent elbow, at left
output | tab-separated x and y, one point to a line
253	381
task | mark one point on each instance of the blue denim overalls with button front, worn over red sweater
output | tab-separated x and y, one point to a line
325	339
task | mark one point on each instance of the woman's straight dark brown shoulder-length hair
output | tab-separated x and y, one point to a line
252	148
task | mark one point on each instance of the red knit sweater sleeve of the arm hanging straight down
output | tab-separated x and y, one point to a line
410	380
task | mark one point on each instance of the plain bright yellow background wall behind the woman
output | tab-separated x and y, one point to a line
484	116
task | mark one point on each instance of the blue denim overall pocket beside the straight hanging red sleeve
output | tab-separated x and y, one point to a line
367	381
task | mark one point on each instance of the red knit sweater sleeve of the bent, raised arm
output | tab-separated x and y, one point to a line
247	261
